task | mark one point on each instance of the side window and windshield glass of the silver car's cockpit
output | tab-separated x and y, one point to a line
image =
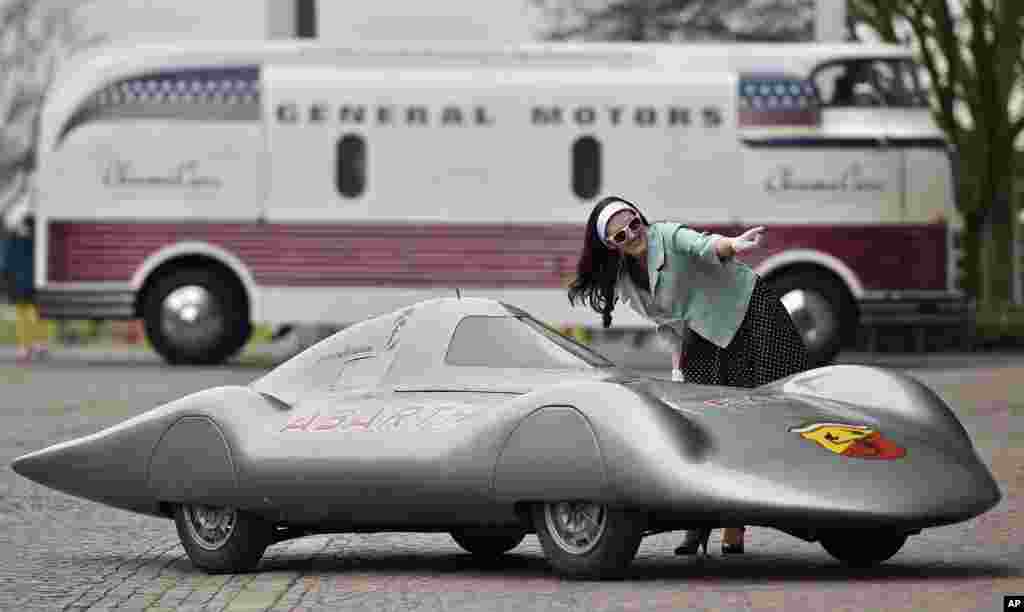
518	342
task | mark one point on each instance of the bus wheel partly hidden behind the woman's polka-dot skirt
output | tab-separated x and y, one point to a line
822	311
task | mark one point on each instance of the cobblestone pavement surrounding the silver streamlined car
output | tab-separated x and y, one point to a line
61	553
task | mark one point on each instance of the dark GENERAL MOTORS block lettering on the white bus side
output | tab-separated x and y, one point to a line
455	115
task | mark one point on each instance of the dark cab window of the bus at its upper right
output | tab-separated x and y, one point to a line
861	83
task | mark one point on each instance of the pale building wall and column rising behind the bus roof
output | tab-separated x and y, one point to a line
493	22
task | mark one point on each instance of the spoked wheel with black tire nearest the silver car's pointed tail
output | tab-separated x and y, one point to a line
223	540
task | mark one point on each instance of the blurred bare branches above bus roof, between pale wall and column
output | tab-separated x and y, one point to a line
677	20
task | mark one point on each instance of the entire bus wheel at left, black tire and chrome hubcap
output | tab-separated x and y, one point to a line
197	317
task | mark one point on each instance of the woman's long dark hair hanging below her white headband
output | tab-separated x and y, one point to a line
599	267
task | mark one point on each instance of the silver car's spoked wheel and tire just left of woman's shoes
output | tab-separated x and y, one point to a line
603	550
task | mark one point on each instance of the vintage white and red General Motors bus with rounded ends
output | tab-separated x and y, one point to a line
207	186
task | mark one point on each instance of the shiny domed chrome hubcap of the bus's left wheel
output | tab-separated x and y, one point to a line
191	317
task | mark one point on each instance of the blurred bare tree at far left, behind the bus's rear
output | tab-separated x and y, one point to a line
35	38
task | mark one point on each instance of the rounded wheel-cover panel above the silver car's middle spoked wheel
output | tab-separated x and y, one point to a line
553	454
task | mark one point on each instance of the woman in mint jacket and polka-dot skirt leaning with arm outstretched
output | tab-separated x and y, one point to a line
726	326
